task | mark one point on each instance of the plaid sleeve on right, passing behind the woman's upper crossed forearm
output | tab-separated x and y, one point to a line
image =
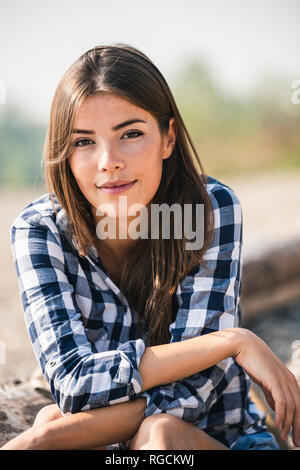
208	300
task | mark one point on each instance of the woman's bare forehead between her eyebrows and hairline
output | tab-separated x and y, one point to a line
109	109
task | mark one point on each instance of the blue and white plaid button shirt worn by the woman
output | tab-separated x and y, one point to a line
84	333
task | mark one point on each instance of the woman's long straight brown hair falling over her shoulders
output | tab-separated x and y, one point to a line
155	267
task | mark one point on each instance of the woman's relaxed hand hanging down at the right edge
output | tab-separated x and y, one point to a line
279	385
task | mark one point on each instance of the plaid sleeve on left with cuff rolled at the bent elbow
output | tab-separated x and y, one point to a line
79	379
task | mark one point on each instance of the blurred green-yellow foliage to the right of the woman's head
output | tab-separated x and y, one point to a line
234	135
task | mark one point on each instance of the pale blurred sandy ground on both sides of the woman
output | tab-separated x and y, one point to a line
271	209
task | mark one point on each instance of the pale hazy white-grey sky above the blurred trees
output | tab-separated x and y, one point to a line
239	40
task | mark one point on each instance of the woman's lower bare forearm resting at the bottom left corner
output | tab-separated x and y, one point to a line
84	430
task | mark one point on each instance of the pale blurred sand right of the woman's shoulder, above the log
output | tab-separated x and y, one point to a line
271	209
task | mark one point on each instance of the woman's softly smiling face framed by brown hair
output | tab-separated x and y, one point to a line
108	148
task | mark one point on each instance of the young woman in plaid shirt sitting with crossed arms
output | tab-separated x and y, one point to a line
137	330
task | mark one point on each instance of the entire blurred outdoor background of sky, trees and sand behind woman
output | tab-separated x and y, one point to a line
234	69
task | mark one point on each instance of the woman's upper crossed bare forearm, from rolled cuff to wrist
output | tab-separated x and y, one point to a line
167	363
